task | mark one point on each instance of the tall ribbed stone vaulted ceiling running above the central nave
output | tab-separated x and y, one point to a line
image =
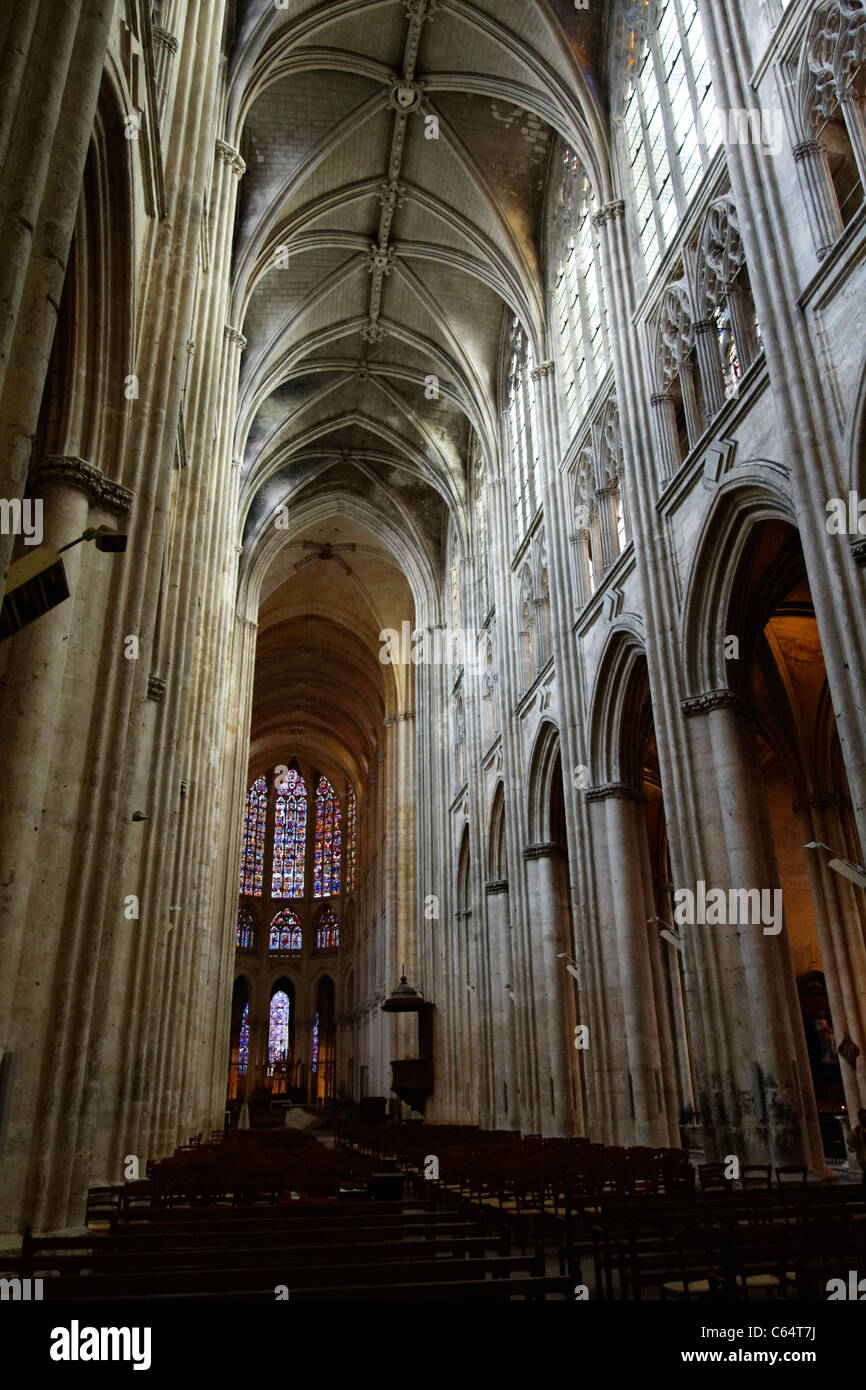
389	229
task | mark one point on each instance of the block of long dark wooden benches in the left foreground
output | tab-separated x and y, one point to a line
336	1250
